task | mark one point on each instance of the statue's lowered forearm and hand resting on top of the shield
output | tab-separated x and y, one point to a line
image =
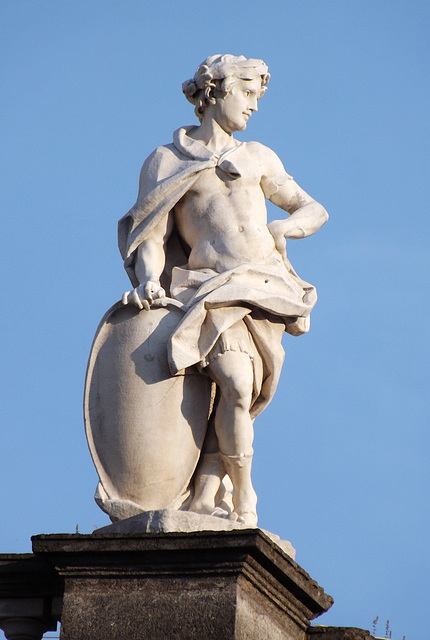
149	265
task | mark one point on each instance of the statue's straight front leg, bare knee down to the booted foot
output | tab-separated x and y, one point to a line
233	373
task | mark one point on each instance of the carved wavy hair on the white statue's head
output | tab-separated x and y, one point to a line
218	74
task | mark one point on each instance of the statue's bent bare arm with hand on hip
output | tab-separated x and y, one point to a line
306	214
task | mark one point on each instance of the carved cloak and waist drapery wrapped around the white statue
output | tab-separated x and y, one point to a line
267	298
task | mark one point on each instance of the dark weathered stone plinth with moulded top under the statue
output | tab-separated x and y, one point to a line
194	586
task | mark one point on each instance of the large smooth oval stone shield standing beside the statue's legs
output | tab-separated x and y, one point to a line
145	428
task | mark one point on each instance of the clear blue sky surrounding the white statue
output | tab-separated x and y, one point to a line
89	89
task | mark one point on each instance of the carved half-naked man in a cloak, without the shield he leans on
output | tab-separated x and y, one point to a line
208	191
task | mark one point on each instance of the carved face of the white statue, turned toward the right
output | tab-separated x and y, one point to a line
233	110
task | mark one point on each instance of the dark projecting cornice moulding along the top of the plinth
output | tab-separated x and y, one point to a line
141	553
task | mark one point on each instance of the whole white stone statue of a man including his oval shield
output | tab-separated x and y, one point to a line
182	366
